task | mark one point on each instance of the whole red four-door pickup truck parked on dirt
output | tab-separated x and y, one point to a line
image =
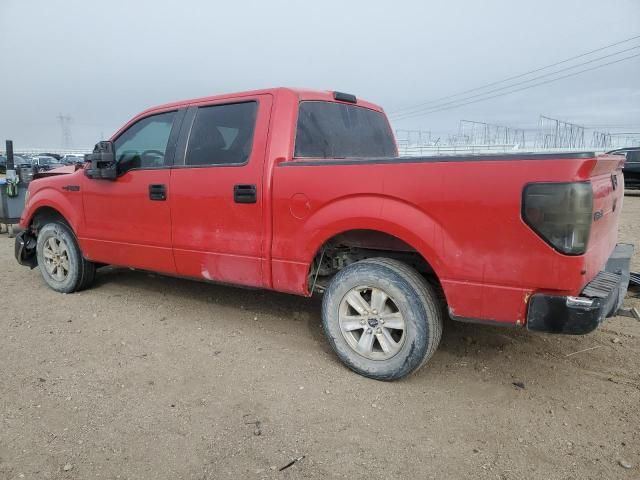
302	191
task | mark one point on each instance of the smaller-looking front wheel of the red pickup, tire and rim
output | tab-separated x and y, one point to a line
77	273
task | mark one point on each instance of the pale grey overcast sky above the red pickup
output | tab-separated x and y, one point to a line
101	62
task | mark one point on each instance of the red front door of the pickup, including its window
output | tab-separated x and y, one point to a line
128	221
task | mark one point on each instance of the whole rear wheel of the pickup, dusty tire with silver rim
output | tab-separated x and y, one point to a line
382	318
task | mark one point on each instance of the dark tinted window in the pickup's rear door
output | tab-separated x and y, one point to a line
222	134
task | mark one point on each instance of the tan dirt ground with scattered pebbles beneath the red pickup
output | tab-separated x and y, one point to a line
146	377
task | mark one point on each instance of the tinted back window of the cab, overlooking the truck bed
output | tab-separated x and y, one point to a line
337	130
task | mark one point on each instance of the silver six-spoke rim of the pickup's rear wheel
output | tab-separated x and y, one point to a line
371	323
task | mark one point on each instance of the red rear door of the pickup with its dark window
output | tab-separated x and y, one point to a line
217	199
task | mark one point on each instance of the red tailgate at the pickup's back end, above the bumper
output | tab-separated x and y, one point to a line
608	192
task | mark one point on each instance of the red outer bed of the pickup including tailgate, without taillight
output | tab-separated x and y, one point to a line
461	213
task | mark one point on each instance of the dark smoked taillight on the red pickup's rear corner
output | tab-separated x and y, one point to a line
560	213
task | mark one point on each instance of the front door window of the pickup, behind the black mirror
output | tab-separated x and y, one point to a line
144	143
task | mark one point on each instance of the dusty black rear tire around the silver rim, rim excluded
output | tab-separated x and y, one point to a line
416	302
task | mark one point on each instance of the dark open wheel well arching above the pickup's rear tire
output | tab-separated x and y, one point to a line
354	245
